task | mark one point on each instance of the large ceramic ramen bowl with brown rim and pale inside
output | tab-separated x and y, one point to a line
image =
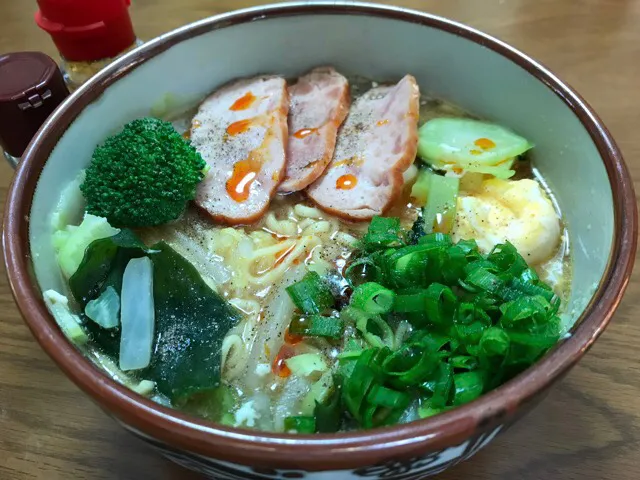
574	151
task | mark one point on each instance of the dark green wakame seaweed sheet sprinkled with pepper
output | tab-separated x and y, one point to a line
191	320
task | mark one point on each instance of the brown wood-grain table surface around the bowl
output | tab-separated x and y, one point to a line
588	427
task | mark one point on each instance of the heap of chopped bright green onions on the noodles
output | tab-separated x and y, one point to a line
478	320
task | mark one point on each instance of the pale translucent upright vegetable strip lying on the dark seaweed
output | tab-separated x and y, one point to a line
137	314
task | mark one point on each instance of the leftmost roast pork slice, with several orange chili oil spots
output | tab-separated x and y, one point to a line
241	132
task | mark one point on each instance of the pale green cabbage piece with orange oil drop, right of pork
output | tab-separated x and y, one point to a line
465	145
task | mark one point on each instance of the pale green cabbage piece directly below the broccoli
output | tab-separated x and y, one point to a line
71	242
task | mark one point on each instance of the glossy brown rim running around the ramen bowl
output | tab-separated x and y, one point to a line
321	451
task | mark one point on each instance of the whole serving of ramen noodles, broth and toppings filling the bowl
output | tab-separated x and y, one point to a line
313	318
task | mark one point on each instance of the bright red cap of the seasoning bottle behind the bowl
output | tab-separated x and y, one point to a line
87	30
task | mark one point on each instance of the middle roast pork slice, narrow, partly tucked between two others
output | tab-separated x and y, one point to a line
319	103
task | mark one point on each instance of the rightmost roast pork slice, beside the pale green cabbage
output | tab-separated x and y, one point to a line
376	144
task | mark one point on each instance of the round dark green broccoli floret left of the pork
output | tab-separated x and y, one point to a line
142	176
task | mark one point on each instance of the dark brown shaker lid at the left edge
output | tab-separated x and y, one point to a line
31	87
